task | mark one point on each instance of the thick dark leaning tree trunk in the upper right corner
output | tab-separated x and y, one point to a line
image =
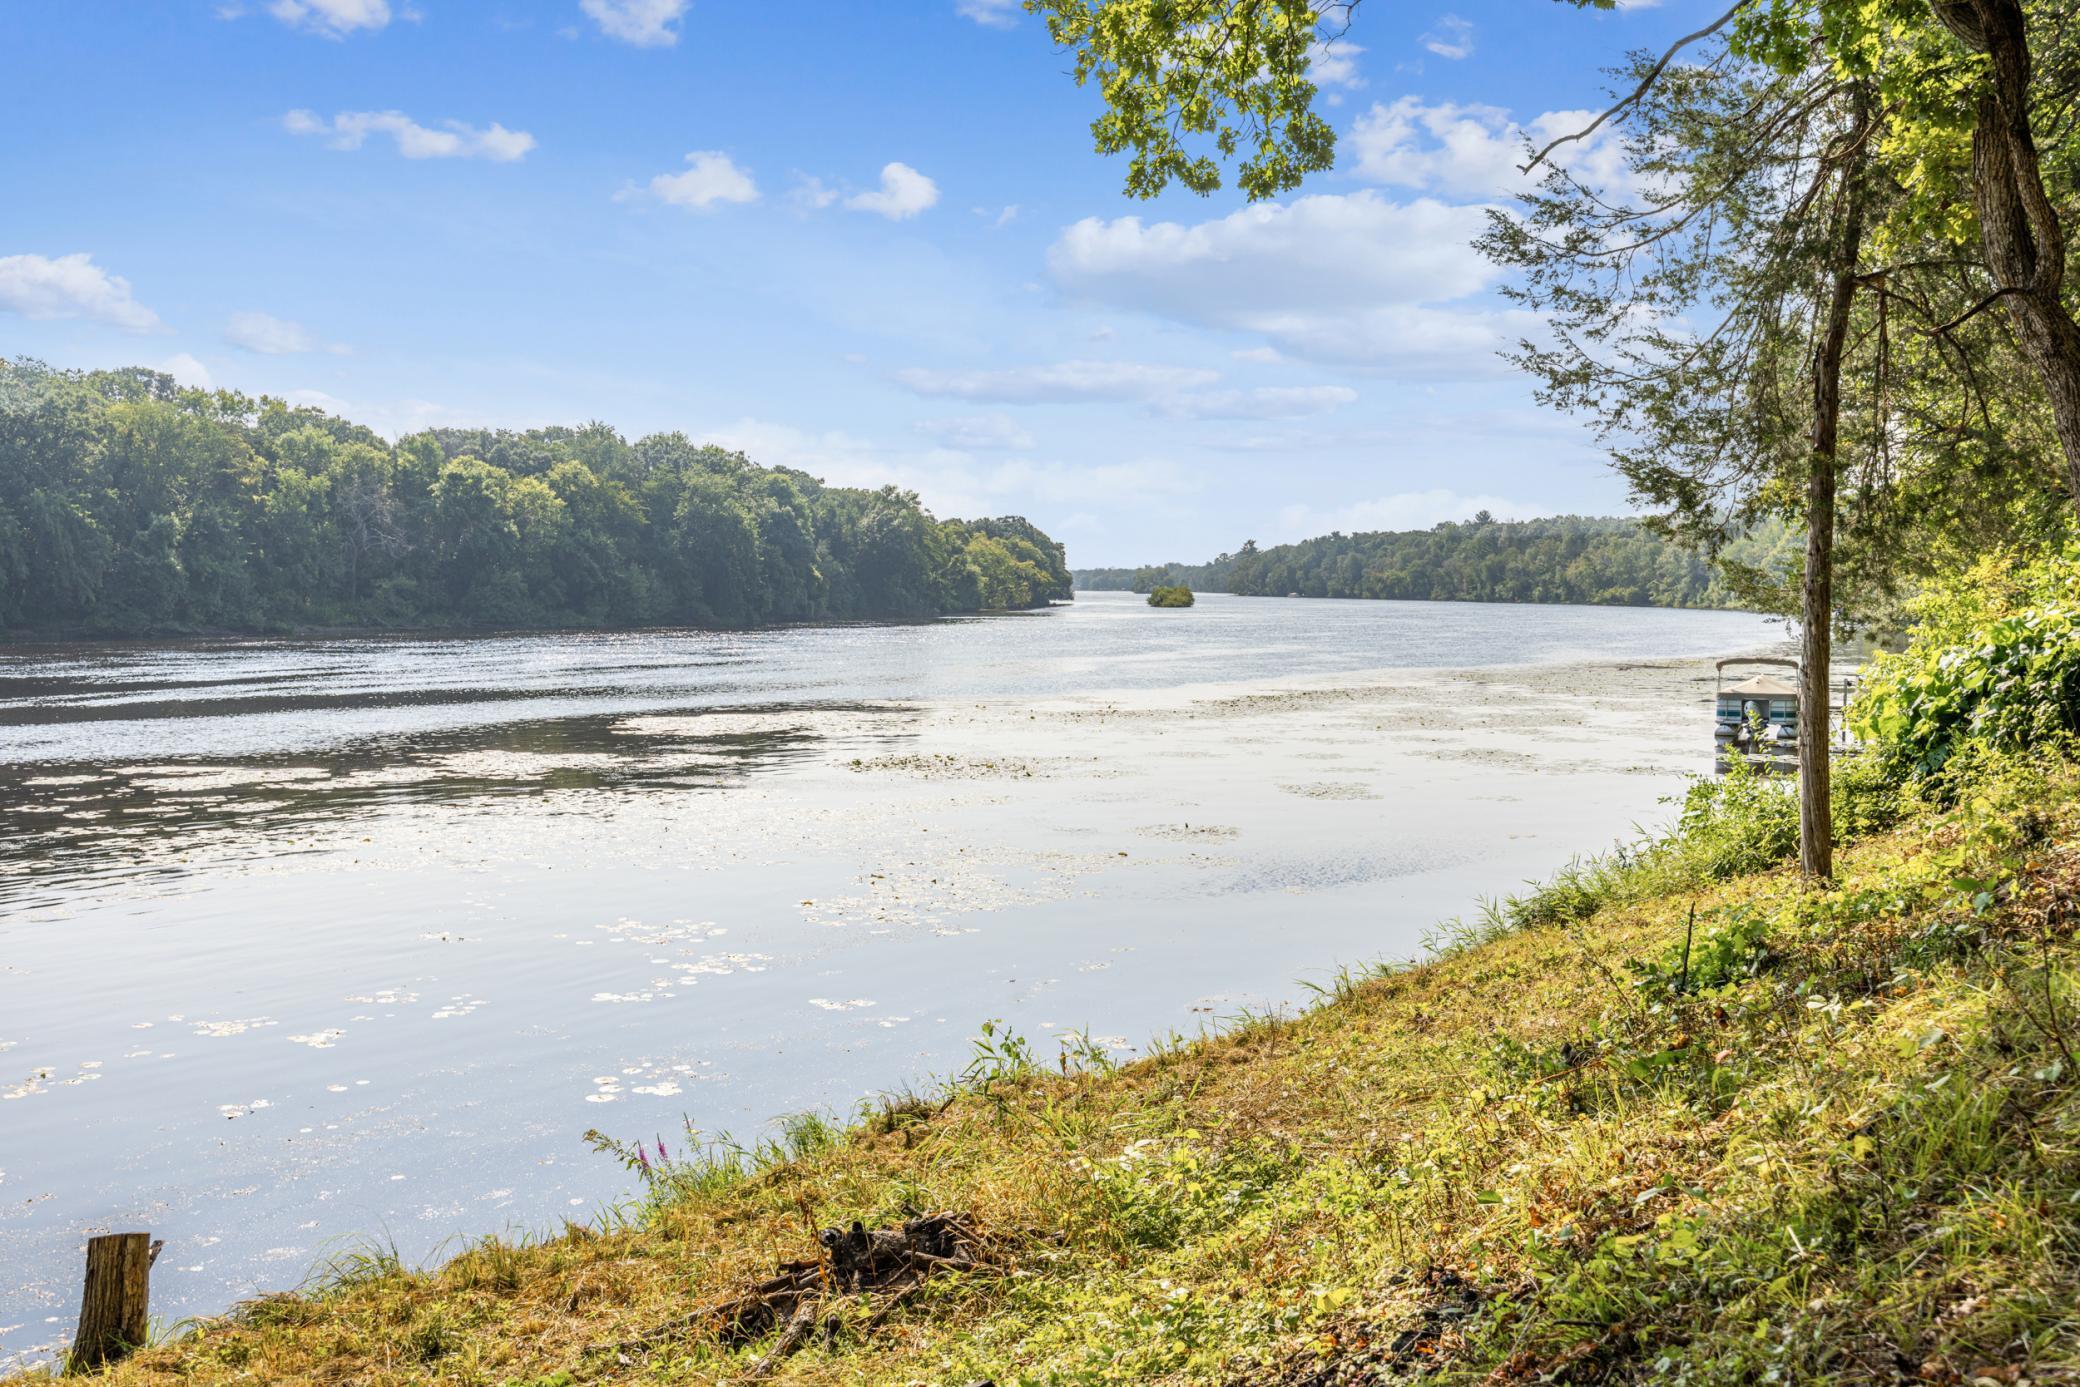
2019	228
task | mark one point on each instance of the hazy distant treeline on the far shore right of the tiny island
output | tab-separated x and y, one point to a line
1561	560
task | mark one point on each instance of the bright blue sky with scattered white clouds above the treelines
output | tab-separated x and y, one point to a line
860	238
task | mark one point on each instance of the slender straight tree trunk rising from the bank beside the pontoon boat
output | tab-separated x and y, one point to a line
1817	617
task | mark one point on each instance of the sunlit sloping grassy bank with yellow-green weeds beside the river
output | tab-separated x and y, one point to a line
1829	1141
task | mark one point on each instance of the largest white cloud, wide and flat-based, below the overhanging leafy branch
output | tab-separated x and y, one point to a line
1351	280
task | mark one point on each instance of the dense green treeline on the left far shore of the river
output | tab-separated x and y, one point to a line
134	506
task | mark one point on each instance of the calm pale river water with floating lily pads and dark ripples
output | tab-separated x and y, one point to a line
315	943
